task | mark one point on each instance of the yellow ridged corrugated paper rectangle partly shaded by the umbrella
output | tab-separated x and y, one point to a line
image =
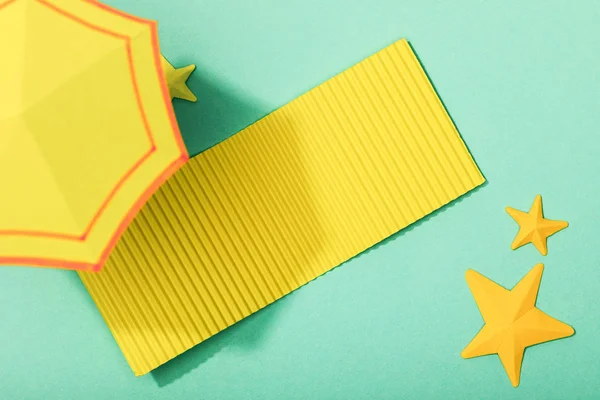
287	199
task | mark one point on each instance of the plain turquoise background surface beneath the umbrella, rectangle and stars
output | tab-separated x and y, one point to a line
521	81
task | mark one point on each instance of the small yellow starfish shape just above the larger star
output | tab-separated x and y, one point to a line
533	227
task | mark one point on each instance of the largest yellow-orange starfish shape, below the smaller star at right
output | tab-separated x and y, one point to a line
512	322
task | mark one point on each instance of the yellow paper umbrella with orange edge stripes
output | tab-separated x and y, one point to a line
87	130
